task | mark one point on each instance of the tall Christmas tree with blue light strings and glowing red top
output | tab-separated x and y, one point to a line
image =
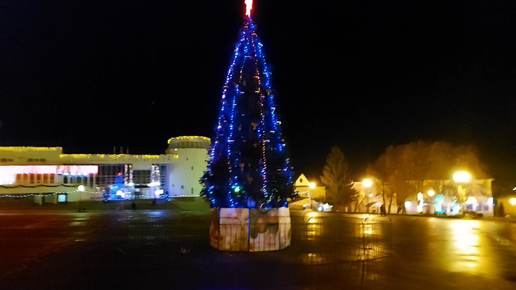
248	165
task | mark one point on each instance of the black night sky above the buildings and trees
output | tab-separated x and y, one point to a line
88	75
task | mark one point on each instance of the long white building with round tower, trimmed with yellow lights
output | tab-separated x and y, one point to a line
51	176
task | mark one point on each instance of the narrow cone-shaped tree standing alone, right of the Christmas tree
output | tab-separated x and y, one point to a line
336	176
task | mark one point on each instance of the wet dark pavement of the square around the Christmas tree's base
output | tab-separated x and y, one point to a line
65	250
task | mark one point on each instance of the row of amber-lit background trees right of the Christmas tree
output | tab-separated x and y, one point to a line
401	170
